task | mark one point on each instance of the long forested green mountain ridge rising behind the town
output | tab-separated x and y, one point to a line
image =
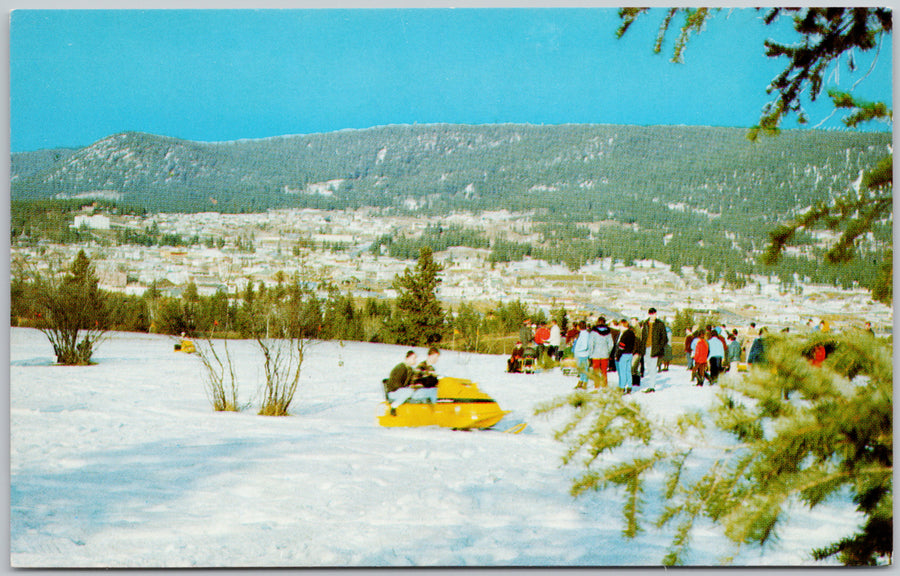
696	196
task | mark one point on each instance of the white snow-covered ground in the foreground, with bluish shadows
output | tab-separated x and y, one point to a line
124	464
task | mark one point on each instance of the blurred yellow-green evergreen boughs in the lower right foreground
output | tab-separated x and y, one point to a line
800	434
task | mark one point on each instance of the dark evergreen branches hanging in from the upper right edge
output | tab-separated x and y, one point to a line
824	35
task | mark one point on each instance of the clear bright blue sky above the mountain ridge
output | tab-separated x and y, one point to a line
214	75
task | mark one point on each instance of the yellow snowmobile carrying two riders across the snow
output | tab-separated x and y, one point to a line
460	405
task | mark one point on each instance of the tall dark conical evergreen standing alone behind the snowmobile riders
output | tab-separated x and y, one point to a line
420	319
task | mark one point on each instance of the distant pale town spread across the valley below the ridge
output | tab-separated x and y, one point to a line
320	248
